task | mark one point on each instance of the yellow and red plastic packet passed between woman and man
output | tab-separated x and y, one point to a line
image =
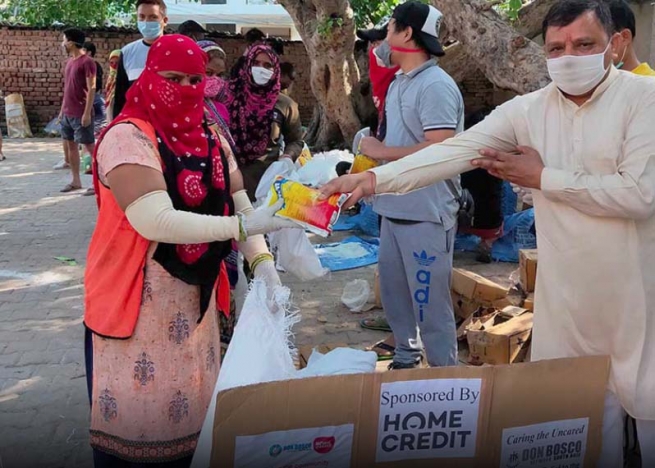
302	205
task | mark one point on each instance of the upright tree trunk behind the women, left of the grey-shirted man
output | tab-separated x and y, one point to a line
327	28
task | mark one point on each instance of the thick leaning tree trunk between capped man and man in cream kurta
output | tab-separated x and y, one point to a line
508	59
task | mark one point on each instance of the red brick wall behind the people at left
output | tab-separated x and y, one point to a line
32	62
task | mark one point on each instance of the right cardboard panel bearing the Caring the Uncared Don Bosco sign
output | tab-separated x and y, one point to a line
546	408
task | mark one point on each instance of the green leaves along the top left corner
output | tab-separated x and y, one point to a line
87	13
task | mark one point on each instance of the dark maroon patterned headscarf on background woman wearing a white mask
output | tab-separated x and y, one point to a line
251	107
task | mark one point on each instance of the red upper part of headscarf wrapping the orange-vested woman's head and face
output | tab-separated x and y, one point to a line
175	111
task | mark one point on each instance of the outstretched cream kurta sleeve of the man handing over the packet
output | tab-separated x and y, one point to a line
448	159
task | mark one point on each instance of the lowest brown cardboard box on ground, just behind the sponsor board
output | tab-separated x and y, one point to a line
503	343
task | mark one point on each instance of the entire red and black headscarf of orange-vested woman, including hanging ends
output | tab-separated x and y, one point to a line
194	166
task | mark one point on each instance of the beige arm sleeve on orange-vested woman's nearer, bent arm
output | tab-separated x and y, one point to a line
154	217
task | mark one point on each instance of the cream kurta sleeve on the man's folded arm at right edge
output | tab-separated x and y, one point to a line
630	192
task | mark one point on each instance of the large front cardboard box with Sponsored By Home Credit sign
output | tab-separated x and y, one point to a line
449	417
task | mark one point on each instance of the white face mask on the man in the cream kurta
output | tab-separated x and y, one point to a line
576	75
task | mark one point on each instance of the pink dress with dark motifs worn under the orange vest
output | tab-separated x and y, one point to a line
150	393
